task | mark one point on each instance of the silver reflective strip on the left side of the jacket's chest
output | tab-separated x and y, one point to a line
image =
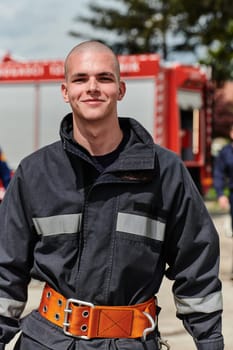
59	224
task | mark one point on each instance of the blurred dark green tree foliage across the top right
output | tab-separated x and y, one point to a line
203	28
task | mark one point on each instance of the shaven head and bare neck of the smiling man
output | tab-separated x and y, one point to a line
92	88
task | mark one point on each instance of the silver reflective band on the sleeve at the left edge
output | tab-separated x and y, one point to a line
11	308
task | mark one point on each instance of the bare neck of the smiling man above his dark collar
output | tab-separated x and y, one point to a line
98	139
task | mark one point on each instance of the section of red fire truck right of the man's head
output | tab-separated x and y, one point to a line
174	102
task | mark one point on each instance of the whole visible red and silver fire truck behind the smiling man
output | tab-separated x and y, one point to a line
172	101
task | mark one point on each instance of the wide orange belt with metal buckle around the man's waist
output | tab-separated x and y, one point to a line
86	320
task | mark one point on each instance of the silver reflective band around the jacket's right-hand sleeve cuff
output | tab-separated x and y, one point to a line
208	304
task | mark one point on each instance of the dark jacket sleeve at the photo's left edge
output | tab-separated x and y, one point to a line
16	252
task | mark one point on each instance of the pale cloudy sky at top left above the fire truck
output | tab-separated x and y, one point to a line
38	29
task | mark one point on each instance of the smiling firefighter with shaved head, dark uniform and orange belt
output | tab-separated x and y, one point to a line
101	216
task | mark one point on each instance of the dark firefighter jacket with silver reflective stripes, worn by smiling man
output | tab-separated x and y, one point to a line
109	242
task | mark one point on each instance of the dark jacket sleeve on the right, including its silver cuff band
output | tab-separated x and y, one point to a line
193	263
